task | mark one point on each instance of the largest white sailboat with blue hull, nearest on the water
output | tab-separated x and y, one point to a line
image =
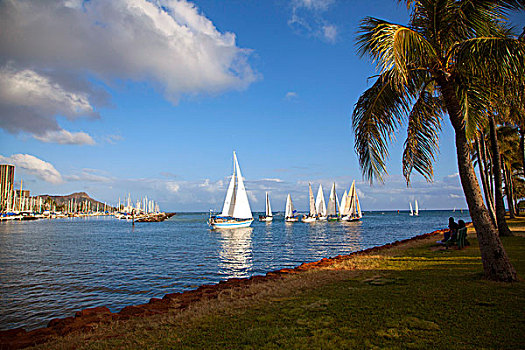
236	211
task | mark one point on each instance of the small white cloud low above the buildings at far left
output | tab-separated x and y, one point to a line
34	166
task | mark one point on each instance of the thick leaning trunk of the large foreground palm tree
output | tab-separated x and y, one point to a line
496	264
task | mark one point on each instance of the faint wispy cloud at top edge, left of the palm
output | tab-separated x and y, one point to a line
308	19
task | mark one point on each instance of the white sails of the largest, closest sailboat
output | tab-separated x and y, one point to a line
236	203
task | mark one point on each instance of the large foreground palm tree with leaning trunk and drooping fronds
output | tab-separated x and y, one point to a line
445	60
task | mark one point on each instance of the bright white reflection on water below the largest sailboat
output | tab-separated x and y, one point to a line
236	254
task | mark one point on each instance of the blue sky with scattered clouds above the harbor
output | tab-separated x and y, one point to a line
151	98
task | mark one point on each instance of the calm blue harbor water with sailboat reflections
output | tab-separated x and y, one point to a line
53	268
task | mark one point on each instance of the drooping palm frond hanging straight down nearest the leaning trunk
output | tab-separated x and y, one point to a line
421	144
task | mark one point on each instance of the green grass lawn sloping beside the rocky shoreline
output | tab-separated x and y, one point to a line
416	297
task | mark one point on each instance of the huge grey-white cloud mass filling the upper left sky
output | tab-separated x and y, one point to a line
53	51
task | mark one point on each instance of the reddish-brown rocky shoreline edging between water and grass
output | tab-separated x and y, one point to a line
88	319
